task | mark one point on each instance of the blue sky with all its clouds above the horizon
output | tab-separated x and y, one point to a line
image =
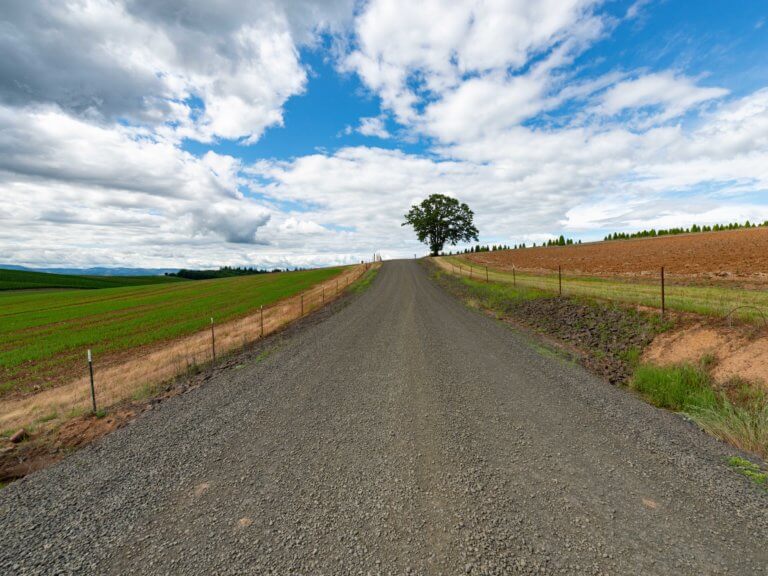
282	133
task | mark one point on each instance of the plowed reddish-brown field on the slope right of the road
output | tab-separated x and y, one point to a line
737	255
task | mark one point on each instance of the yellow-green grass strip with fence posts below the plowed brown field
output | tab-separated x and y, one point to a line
654	289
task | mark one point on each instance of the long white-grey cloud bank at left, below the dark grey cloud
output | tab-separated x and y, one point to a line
61	170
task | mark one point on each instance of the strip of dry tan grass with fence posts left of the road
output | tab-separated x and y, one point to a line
107	382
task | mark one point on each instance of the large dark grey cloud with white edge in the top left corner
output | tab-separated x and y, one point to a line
212	69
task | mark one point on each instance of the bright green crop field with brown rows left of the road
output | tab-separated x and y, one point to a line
43	335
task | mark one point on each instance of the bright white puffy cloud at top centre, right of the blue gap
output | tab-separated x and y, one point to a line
445	42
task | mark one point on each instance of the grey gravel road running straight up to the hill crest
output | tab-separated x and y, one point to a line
404	434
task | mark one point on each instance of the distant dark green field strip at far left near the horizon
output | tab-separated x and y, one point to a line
25	280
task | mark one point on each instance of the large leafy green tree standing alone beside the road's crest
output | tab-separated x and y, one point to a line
441	219
